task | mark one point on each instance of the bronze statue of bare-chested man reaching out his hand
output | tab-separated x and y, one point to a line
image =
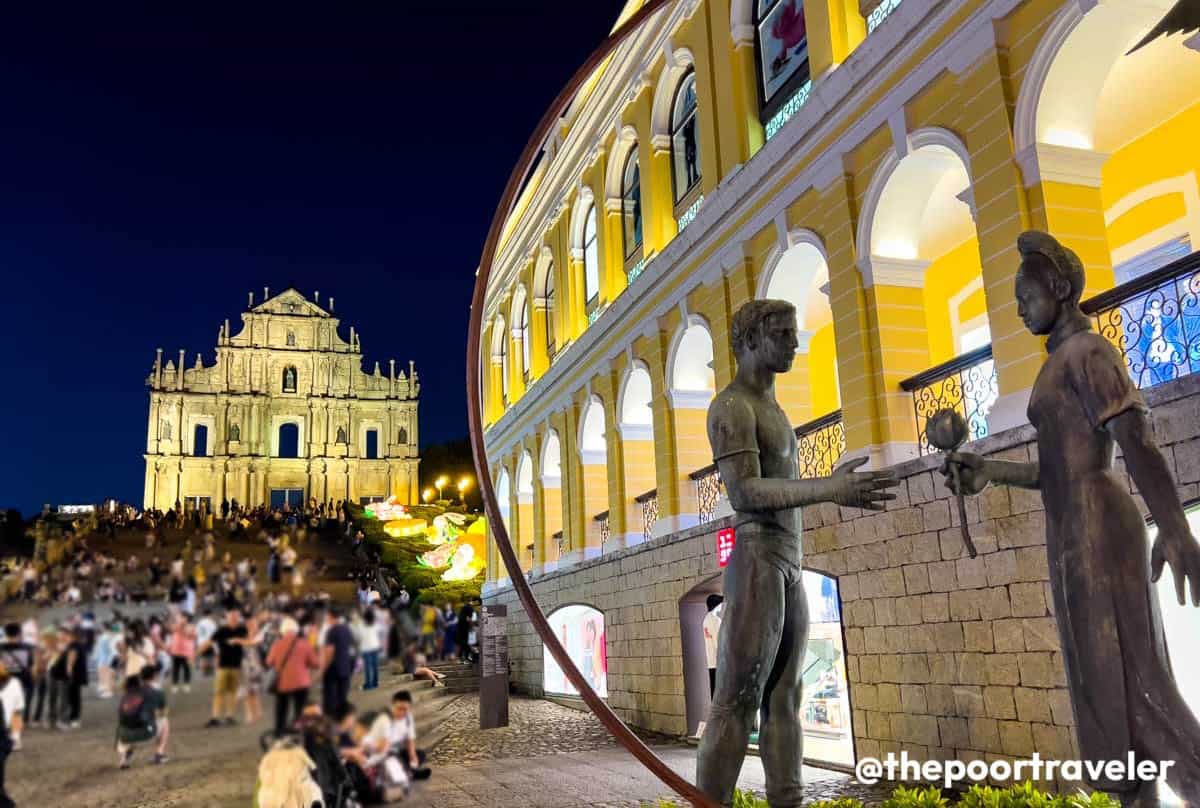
765	631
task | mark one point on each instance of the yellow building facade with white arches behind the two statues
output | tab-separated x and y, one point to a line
871	161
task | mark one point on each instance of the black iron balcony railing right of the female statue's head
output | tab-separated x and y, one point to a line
1155	322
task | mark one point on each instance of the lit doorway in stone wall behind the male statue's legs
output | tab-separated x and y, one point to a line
825	711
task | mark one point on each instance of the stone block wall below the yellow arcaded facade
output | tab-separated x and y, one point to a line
947	657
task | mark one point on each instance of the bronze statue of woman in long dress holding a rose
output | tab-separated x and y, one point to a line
1123	690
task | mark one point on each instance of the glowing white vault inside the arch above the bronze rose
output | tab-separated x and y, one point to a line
897	214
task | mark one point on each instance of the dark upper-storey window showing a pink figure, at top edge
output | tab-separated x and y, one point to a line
783	52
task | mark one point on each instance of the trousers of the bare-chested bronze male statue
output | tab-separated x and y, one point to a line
760	661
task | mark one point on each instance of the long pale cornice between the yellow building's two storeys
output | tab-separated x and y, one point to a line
736	211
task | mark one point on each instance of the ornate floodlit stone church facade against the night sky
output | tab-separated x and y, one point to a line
285	415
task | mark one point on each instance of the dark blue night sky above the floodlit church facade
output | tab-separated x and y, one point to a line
157	166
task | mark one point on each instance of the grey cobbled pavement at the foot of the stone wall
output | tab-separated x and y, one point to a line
555	757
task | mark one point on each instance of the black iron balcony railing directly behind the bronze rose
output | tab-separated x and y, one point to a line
967	384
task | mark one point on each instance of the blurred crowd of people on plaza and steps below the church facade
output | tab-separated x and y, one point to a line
256	633
